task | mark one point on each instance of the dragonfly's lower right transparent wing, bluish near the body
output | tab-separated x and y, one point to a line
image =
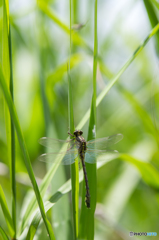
93	156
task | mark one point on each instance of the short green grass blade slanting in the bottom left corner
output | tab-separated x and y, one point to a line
6	212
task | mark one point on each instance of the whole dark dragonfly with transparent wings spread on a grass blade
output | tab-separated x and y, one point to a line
78	146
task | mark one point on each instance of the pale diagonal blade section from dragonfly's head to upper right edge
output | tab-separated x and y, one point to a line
117	76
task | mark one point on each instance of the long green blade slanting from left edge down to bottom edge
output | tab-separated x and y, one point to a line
24	151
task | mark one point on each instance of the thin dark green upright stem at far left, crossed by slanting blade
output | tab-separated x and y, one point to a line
13	180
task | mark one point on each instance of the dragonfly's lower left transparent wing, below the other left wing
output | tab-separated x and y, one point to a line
65	158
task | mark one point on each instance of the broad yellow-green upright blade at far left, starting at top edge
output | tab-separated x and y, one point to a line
7	69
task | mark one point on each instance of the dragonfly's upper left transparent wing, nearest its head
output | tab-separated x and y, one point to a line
55	143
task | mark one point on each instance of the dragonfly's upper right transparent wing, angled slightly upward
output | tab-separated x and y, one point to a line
104	143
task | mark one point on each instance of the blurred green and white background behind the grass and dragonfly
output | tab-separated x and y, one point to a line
40	46
